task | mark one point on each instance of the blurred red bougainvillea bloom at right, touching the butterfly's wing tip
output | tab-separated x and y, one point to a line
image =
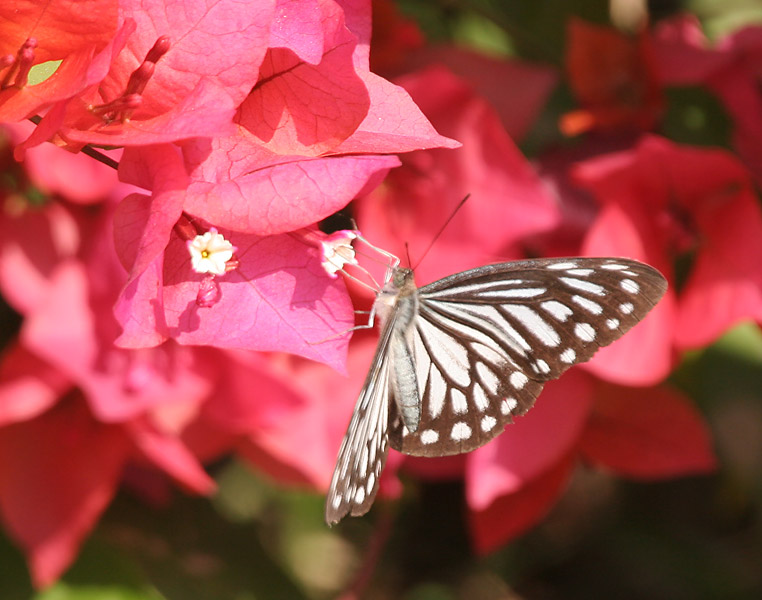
661	200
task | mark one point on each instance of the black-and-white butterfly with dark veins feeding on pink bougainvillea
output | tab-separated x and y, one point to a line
460	357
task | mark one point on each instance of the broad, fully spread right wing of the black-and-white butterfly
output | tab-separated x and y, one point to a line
487	340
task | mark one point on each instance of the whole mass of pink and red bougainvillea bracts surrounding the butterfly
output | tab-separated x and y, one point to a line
240	126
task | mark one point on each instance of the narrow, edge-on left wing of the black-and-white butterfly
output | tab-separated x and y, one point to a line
365	445
